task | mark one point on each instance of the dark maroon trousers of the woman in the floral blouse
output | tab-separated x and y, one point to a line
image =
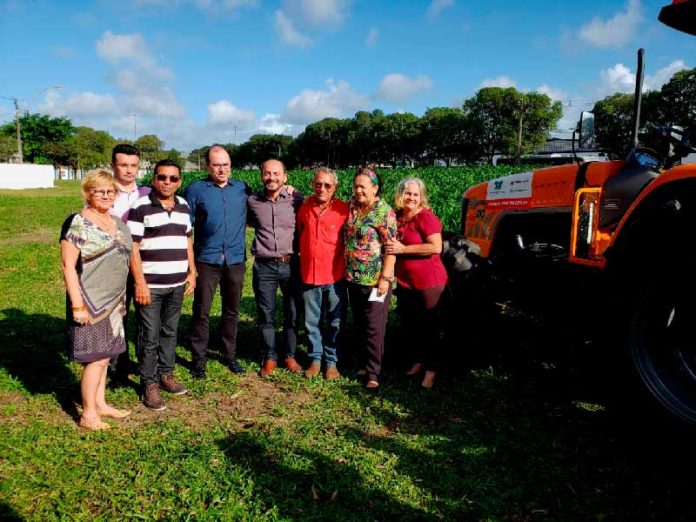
370	325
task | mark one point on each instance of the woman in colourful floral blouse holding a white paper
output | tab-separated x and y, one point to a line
369	270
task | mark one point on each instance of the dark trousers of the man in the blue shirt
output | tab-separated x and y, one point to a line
231	281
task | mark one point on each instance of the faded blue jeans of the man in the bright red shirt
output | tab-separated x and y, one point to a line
330	299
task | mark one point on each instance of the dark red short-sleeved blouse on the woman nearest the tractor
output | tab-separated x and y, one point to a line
419	272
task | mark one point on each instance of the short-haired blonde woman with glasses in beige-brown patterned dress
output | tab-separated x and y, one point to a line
95	253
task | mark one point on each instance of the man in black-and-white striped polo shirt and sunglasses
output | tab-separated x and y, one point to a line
164	271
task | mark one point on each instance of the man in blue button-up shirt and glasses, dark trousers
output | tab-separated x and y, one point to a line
218	208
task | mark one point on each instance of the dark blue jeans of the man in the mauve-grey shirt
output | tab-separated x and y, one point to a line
268	277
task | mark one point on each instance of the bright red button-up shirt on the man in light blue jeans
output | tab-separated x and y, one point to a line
322	259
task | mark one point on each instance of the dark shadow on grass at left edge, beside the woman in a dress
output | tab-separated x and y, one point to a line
33	350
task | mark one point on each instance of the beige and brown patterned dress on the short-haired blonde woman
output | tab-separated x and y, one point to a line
102	269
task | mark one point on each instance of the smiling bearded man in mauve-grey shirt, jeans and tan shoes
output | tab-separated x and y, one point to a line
272	213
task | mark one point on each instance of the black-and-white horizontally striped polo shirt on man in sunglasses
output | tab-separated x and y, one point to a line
163	240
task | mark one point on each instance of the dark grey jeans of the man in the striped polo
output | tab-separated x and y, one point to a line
157	324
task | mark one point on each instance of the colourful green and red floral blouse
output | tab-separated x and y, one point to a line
364	239
